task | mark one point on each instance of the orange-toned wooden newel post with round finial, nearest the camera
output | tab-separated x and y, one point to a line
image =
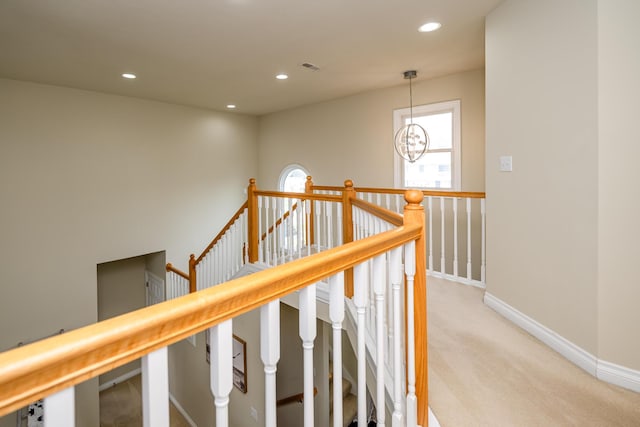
414	214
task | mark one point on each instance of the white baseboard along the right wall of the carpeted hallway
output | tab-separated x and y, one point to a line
603	370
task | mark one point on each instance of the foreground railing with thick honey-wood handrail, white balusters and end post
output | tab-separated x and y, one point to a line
51	368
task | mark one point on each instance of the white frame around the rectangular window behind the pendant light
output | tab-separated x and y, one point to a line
422	110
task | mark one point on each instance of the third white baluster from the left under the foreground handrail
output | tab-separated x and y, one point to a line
221	369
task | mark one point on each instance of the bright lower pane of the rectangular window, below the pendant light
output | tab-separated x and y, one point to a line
433	170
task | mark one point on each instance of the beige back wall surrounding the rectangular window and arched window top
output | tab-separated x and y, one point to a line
352	137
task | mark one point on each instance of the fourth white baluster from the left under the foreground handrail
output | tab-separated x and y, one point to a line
270	354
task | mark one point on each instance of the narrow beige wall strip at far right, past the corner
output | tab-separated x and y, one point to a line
619	176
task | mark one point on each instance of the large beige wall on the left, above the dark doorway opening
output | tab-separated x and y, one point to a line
87	178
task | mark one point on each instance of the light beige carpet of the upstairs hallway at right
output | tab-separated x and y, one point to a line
485	371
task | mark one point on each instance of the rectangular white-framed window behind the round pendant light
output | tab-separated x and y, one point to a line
439	168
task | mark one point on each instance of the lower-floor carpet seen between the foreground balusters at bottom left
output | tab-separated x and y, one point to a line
121	406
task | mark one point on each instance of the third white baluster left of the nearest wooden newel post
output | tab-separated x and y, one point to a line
378	289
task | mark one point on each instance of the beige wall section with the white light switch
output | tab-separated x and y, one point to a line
542	218
